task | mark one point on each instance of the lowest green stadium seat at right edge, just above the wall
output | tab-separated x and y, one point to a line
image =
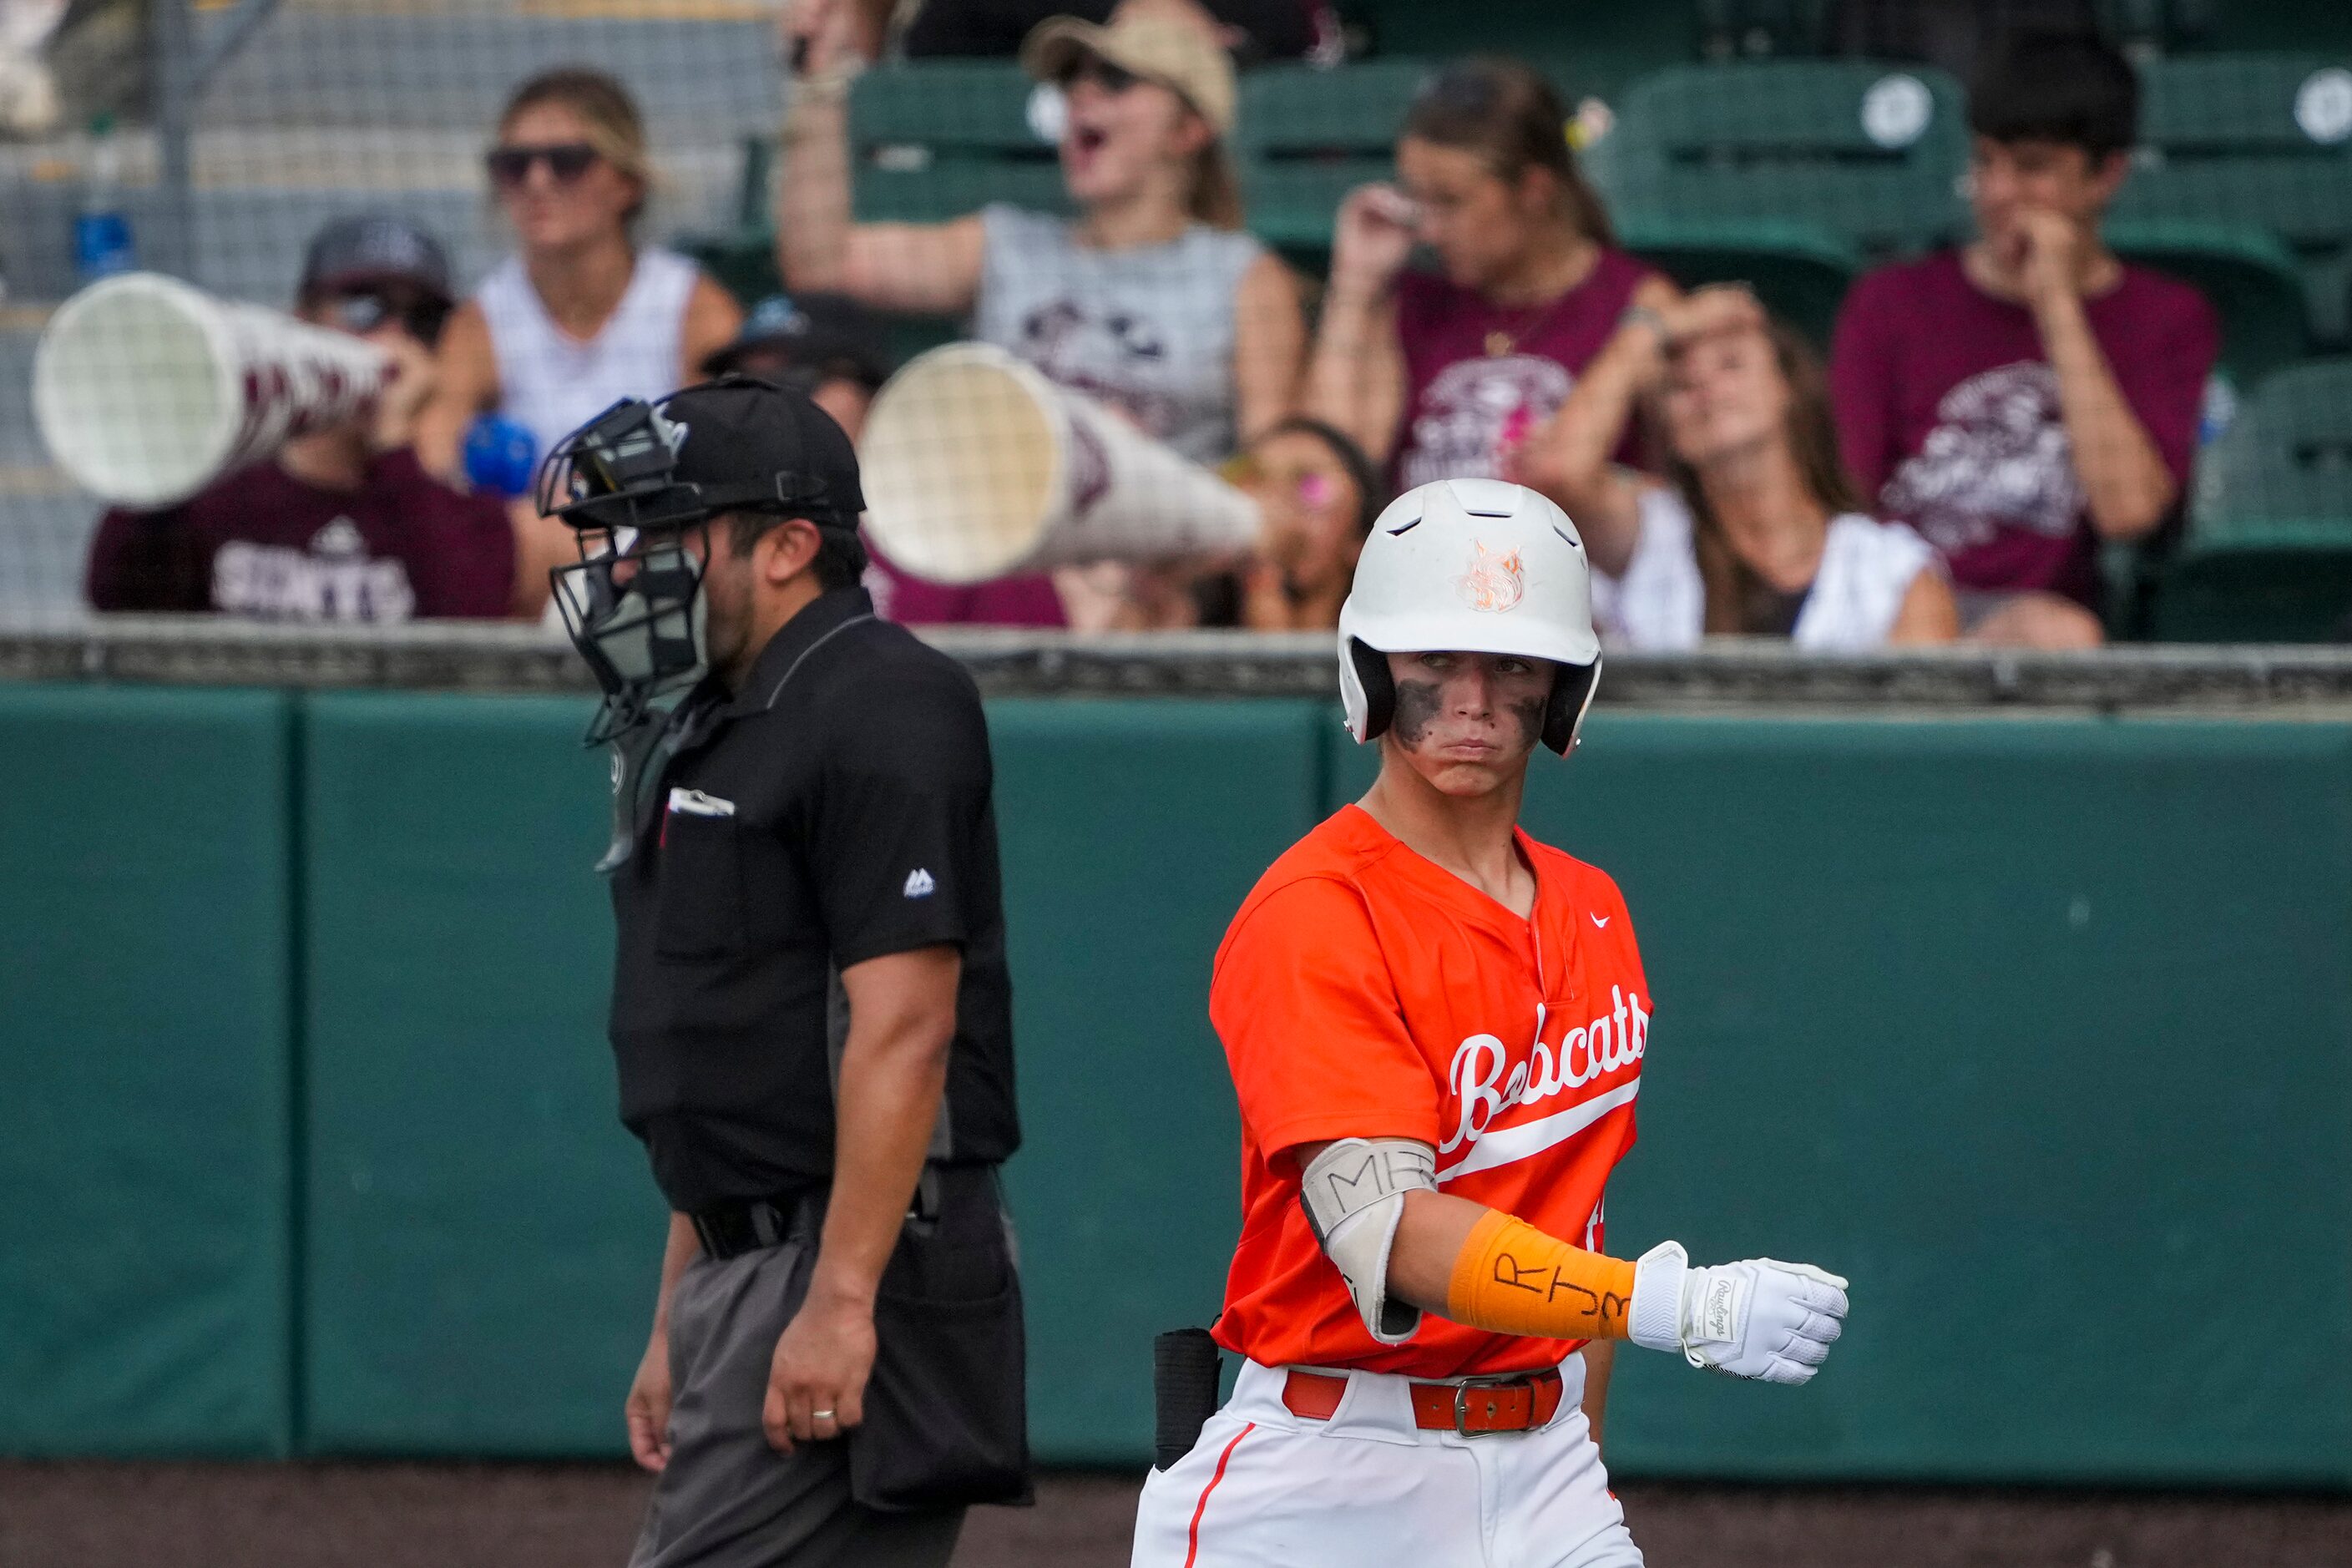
2269	554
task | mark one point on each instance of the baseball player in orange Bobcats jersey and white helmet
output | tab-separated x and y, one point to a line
1436	1031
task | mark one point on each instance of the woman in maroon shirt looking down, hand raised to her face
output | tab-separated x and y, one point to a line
1445	377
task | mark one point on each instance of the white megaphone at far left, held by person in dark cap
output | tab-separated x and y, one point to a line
149	389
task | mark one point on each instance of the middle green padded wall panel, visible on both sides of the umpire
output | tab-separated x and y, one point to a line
483	1231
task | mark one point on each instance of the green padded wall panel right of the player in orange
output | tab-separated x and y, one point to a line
2036	1028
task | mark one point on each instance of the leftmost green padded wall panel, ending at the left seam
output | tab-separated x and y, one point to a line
145	1064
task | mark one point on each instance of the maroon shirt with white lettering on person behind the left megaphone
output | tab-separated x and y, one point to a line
274	547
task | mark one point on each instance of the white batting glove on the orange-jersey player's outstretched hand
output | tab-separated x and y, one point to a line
1749	1320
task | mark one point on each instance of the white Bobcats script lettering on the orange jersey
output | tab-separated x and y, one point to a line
1481	1087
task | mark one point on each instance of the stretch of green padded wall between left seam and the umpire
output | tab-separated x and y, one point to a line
483	1233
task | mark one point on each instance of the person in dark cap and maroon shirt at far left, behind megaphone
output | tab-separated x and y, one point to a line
342	525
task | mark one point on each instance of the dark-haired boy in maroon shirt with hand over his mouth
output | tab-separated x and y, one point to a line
2029	396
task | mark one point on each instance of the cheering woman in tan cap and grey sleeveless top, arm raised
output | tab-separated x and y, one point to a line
1151	300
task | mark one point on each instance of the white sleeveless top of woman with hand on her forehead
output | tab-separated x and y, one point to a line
1662	603
